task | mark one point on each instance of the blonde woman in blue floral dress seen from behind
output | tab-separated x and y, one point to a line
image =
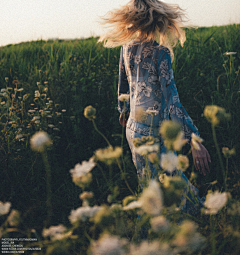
145	73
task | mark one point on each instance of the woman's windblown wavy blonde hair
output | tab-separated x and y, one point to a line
148	20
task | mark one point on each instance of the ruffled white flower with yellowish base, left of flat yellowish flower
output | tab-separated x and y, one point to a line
81	175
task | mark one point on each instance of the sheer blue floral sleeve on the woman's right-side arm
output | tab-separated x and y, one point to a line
170	96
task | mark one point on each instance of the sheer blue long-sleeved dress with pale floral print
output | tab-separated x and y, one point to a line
146	74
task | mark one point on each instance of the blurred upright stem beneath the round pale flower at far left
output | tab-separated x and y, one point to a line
48	187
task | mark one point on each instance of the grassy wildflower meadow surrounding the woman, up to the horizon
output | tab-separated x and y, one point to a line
46	85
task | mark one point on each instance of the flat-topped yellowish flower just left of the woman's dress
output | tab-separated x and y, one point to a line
108	155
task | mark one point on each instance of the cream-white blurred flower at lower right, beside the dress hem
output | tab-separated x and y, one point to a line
215	201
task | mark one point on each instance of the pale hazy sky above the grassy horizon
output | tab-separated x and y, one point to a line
30	20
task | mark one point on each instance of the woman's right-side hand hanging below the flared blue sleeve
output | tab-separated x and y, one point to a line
201	158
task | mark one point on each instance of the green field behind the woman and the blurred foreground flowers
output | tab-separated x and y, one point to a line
45	85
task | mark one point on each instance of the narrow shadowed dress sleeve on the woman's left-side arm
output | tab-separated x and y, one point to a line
123	85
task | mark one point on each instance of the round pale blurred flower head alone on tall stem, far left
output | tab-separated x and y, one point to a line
40	141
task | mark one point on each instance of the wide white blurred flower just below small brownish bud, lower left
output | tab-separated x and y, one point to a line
82	213
